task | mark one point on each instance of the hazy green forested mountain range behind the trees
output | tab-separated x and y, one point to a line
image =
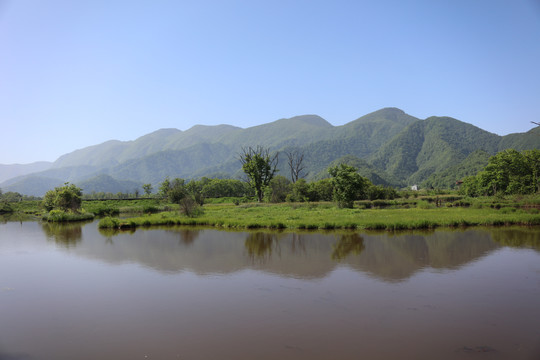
388	146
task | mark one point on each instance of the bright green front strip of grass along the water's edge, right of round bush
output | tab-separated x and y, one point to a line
327	216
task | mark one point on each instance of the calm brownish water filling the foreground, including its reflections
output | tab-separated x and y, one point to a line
72	292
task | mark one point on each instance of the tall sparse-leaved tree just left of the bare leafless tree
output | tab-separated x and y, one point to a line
260	167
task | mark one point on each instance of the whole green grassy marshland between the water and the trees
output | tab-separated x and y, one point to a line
411	212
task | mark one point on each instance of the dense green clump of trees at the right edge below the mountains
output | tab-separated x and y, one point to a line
509	172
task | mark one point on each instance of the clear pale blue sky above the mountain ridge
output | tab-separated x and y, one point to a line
78	73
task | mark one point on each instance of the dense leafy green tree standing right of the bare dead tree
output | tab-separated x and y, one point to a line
348	185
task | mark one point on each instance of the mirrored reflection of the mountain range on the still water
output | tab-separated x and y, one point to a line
303	255
